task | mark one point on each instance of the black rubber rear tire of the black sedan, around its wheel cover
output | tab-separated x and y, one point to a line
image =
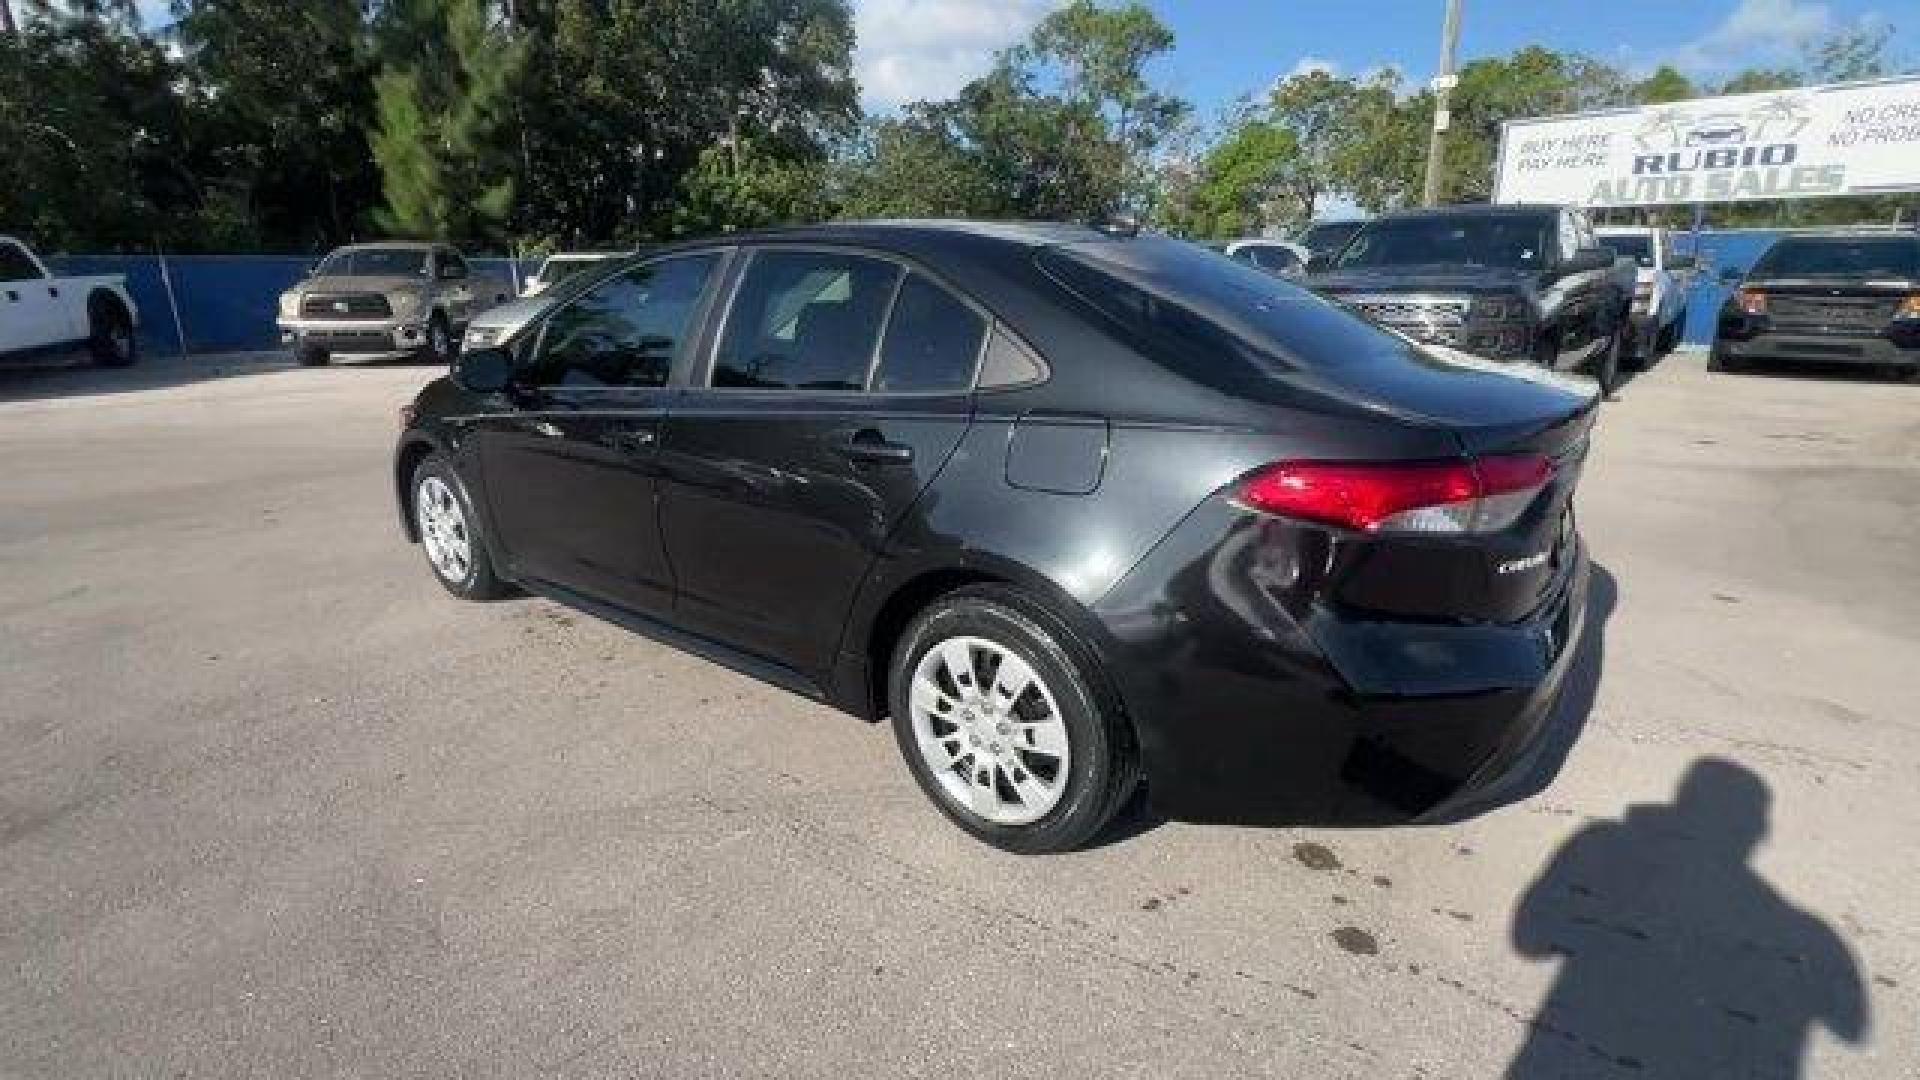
1103	762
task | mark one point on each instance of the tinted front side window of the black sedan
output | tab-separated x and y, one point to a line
625	331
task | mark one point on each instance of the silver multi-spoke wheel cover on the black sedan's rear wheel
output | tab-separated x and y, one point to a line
990	731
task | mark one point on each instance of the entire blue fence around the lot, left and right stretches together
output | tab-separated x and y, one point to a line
228	303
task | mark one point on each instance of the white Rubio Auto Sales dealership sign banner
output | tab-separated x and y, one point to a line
1821	141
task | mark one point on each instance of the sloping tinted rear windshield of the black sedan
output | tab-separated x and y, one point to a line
1214	320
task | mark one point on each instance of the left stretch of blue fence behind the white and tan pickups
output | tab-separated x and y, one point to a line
226	303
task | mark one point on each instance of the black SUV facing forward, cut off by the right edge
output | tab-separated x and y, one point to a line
1833	301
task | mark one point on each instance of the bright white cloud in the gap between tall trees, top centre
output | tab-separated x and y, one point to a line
928	49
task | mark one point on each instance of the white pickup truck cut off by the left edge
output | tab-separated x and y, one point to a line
43	314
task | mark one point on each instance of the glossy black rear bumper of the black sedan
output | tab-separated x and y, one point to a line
1253	714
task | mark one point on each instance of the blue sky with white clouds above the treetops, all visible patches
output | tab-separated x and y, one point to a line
1224	49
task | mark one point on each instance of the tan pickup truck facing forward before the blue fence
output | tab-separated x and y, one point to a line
385	301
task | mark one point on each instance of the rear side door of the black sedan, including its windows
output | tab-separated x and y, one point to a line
838	387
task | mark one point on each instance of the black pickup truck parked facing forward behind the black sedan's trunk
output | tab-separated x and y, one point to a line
1518	283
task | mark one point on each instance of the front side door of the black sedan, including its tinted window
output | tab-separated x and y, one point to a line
571	472
